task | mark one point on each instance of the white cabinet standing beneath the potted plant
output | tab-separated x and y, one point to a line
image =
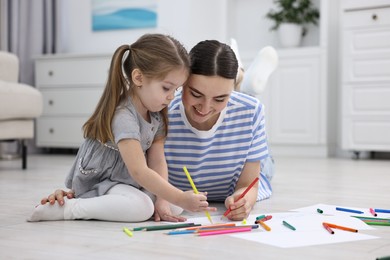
295	102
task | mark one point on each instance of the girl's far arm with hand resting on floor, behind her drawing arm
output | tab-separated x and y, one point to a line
156	161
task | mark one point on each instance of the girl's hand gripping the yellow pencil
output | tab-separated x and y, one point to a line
195	202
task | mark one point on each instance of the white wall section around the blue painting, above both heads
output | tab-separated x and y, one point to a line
190	21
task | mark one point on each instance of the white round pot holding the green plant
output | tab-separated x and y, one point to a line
290	35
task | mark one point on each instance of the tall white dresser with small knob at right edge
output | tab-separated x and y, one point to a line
365	77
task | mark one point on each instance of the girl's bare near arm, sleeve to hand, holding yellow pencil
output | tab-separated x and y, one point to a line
133	156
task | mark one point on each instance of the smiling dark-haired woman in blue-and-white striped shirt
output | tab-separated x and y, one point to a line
218	134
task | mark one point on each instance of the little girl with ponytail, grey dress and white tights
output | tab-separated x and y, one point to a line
121	167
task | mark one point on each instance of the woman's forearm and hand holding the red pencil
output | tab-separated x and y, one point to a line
242	207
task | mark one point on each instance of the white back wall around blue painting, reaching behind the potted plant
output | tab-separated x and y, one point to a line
190	21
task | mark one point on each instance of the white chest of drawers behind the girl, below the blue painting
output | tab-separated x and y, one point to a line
71	86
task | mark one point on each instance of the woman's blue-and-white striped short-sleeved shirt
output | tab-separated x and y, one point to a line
215	158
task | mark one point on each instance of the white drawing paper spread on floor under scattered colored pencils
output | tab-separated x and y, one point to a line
309	230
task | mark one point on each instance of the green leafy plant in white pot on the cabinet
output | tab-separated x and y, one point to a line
291	18
